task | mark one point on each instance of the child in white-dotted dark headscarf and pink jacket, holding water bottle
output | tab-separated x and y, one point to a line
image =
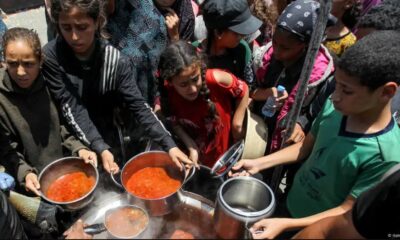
280	63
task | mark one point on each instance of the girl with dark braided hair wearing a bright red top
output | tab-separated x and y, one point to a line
199	102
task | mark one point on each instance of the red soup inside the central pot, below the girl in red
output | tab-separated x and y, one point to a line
152	183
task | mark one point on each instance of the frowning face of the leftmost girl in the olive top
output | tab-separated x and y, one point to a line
22	63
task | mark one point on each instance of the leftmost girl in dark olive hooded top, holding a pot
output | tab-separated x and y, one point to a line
28	116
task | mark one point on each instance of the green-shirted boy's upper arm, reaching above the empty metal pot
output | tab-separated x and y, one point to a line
294	153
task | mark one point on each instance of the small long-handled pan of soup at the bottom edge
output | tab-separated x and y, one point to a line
123	222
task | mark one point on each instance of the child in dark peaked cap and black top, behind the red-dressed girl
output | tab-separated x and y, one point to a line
227	22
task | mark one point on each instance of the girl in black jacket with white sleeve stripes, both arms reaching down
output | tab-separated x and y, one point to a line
89	78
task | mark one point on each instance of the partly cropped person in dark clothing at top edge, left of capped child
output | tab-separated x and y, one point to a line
179	18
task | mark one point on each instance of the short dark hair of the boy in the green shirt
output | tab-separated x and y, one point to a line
375	59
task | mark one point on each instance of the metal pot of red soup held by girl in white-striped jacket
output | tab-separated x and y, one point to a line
153	181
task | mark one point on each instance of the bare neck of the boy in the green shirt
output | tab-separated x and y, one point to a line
369	122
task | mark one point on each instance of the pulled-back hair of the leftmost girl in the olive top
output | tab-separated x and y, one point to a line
30	36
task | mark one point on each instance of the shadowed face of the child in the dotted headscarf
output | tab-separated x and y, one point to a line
286	49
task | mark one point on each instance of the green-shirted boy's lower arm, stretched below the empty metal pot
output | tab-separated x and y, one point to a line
272	227
